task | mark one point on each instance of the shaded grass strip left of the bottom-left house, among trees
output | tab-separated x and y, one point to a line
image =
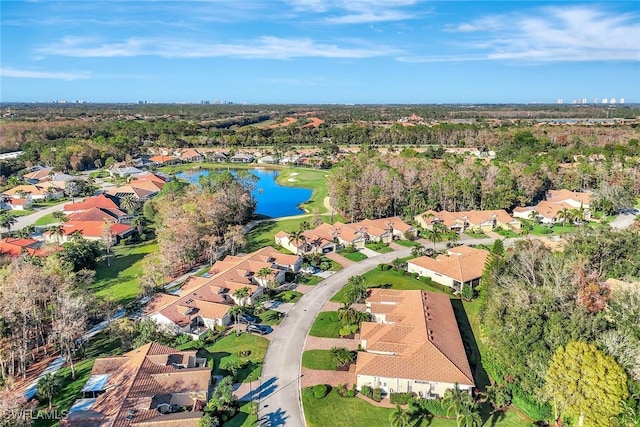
100	345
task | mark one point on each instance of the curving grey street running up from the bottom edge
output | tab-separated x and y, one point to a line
281	403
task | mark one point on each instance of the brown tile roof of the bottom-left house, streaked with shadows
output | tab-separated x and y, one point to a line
137	376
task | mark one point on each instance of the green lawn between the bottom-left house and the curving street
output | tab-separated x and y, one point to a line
226	350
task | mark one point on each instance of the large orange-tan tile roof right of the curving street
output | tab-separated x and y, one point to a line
423	343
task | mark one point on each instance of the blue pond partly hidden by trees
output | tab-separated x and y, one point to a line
273	199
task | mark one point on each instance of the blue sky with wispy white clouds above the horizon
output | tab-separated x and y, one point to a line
315	51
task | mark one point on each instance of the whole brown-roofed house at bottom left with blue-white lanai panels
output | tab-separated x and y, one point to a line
142	388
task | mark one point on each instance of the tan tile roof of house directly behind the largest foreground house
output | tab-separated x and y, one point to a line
461	263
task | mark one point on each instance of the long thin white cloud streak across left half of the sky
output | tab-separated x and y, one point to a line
261	48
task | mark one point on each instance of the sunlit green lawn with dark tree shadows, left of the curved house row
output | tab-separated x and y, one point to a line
121	281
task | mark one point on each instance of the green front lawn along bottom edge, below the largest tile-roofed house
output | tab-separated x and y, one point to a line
336	411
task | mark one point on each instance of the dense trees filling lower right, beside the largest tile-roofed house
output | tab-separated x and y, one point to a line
536	302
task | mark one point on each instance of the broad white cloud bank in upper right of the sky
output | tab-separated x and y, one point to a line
552	34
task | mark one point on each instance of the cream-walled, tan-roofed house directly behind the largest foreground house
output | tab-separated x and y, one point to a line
461	265
